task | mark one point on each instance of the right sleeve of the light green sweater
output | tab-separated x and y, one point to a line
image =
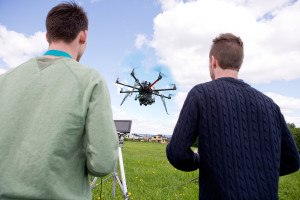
101	136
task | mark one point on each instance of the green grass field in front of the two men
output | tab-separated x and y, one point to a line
150	176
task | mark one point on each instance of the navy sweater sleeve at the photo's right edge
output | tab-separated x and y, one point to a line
289	159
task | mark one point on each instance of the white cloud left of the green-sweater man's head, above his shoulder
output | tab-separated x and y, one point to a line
17	48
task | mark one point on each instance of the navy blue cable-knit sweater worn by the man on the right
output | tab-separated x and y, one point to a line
244	144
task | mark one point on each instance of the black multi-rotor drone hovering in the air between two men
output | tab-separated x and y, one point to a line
145	91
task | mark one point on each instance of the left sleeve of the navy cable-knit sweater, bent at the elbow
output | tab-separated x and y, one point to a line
179	152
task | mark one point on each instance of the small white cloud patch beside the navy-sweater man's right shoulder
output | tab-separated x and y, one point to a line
290	107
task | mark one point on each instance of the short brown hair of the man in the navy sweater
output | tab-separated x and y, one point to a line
228	50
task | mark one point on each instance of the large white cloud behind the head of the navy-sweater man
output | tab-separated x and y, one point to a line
183	33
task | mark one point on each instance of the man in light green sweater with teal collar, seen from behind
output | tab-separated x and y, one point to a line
56	123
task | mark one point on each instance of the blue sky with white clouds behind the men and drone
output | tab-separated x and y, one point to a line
171	36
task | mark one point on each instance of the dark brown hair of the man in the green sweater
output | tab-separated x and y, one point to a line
65	21
